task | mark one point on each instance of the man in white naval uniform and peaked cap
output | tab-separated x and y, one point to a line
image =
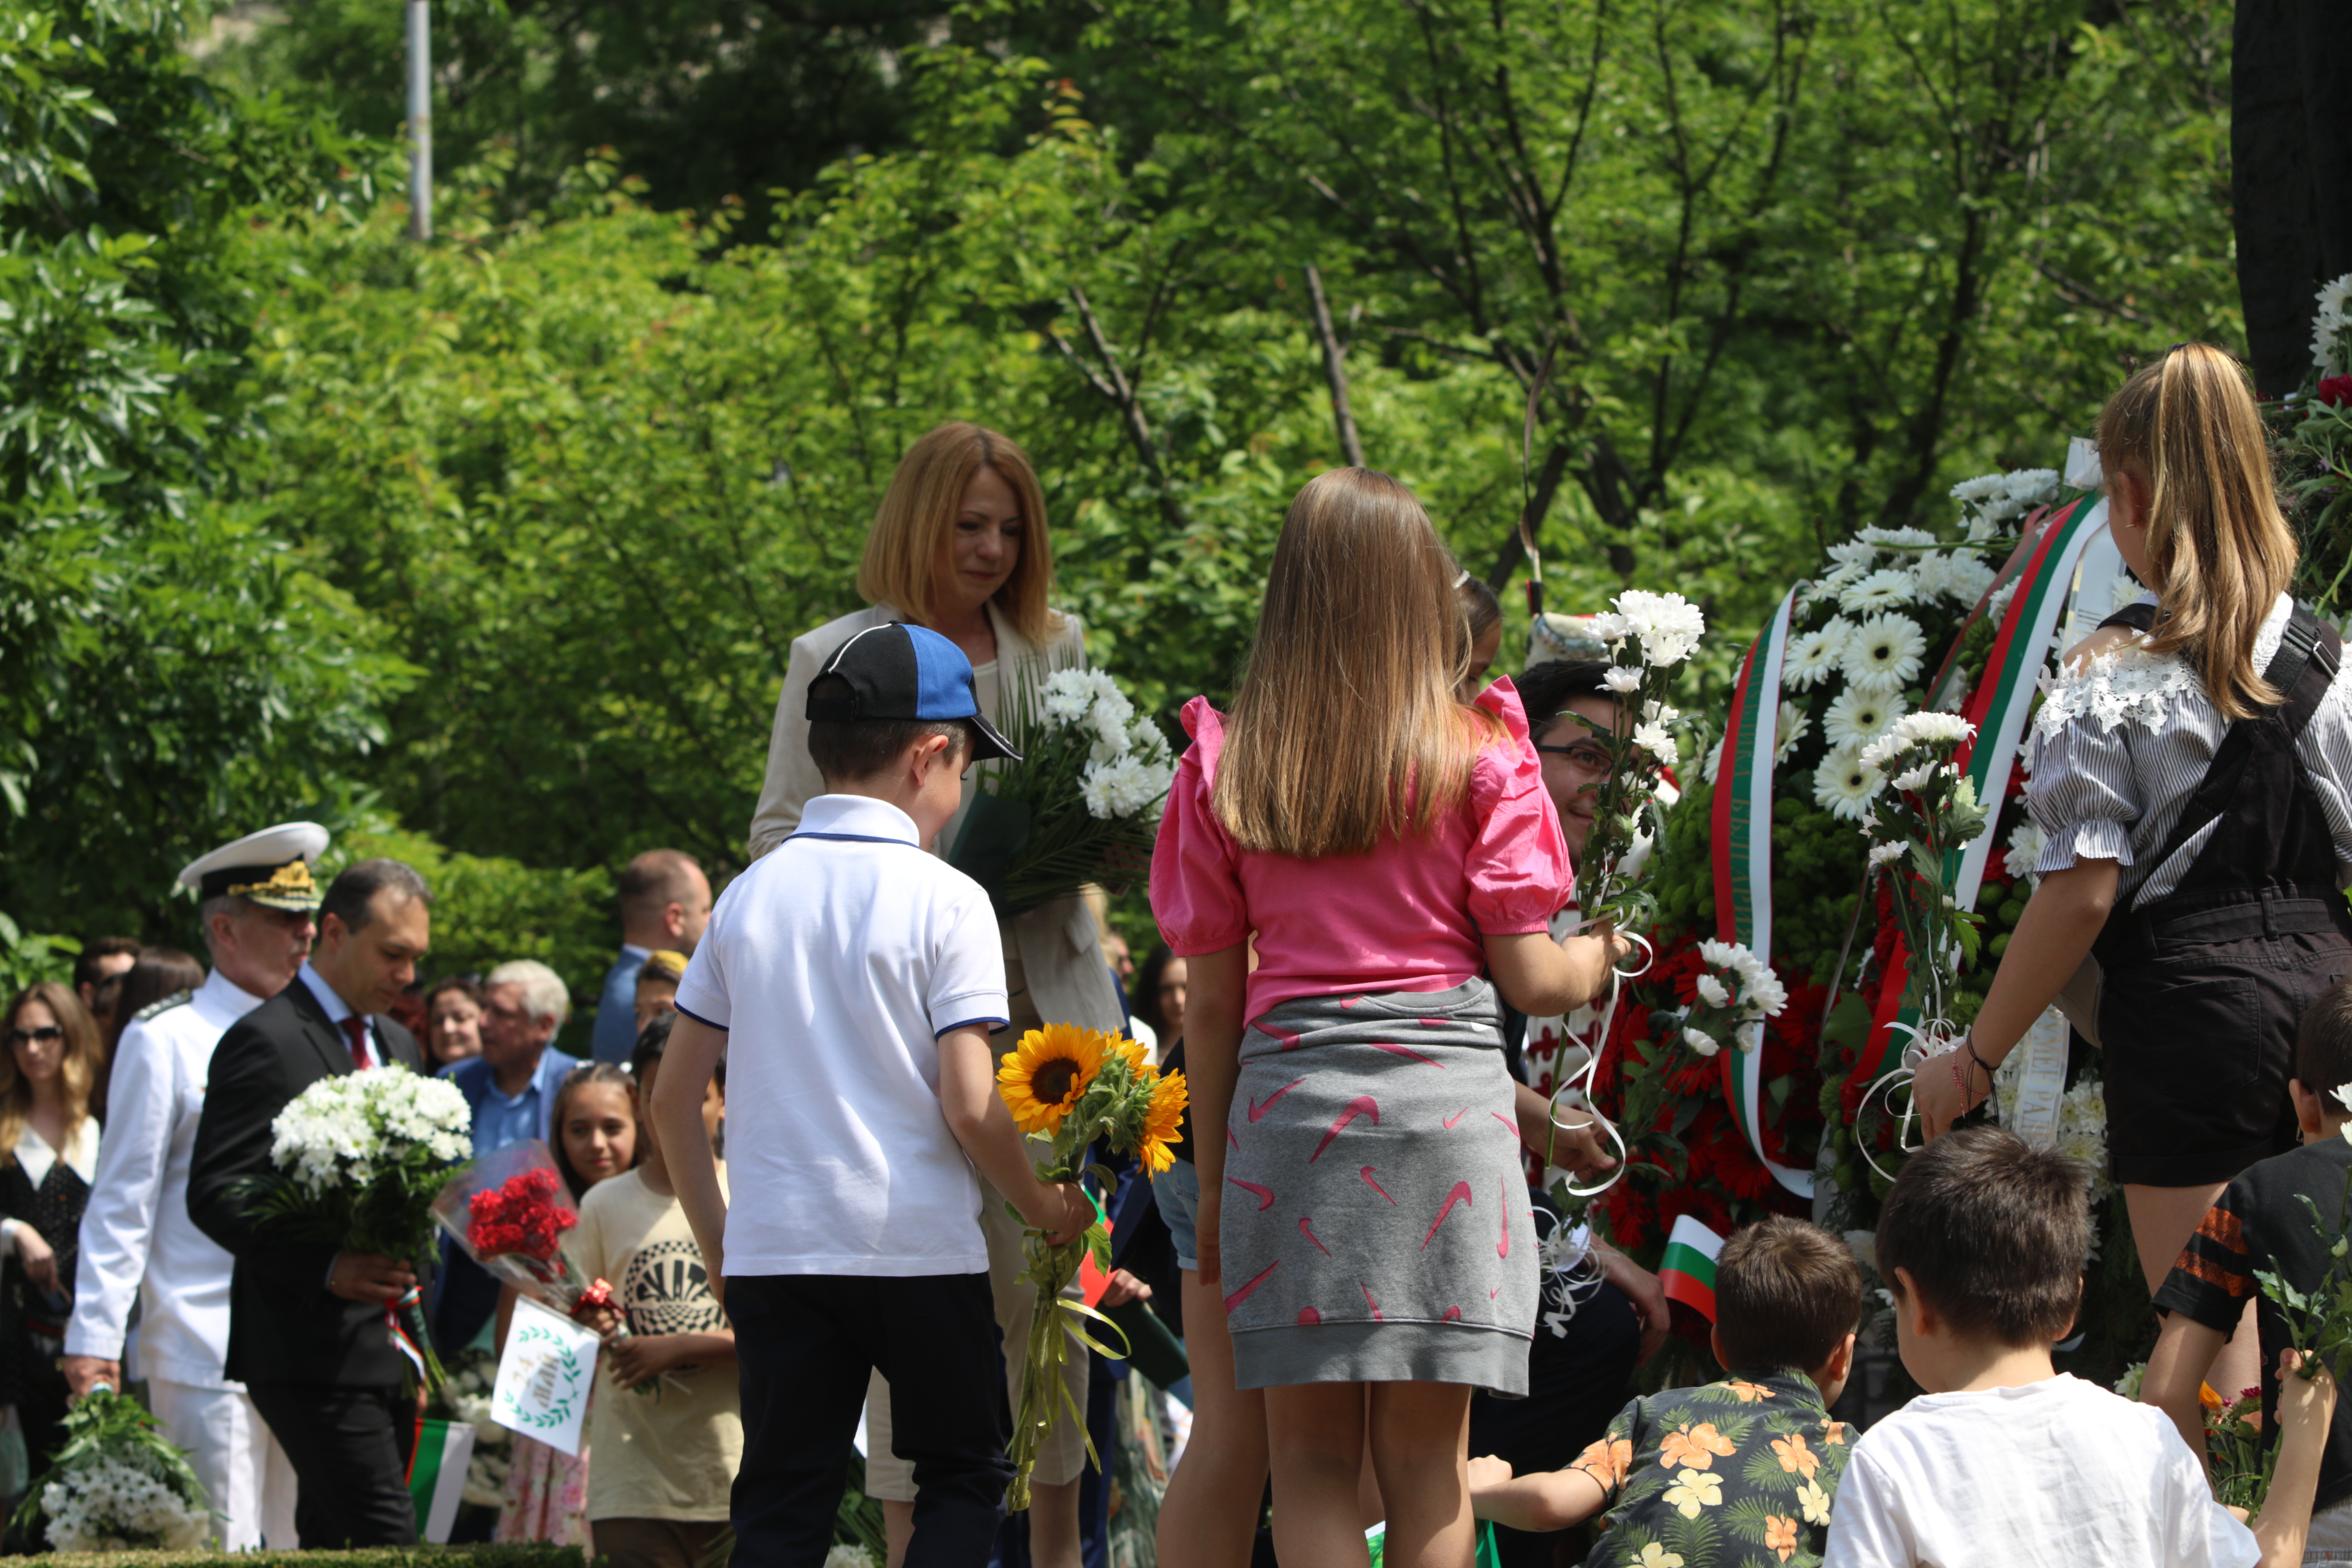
138	1238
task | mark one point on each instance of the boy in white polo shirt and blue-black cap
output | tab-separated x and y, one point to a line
853	981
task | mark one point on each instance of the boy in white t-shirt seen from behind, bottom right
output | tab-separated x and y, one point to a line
2007	1461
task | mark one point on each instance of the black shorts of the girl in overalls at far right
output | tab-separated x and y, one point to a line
2200	1043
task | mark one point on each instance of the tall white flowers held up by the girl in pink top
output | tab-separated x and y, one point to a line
1648	636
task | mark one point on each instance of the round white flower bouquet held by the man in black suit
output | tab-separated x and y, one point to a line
361	1160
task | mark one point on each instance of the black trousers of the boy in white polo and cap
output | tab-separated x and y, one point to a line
806	1346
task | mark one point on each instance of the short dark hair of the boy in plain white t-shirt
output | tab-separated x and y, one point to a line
1996	1235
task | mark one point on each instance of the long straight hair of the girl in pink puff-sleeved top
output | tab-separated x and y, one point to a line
1347	728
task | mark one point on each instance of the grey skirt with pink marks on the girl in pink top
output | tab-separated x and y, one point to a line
1377	1221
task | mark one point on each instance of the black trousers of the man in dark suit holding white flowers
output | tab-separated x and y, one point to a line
349	1449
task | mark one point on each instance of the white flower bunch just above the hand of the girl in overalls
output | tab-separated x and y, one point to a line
1918	822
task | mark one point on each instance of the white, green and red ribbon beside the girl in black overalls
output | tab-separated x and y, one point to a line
1998	711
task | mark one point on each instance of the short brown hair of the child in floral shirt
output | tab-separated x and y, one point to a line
1786	1294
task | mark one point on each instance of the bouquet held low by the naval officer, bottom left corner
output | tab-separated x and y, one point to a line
119	1485
